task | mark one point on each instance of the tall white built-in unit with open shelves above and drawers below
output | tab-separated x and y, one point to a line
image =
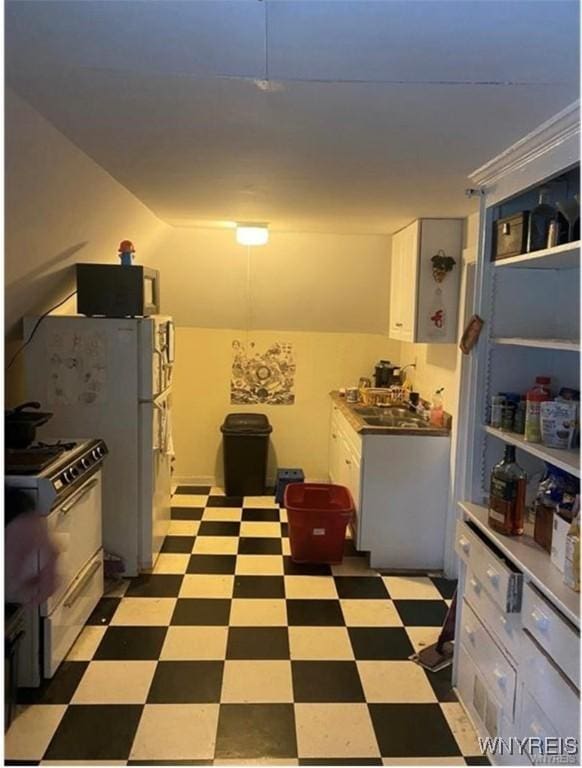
511	595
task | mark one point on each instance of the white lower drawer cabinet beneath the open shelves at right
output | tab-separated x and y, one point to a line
517	671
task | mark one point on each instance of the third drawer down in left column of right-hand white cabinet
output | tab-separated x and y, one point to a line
497	670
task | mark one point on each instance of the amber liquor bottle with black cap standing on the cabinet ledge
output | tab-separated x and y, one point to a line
507	495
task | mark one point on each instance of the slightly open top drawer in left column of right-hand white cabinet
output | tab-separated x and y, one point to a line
499	577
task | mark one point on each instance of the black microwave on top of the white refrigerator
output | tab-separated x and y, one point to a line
116	290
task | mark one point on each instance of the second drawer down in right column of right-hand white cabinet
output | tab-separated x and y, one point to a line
545	683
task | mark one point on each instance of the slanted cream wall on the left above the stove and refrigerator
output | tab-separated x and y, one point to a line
61	208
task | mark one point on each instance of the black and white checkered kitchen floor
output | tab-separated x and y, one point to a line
230	653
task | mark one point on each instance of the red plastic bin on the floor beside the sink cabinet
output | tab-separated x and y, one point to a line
318	515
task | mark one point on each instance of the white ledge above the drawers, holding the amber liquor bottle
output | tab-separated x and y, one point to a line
532	559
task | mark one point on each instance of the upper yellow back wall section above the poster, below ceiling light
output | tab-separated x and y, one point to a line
298	281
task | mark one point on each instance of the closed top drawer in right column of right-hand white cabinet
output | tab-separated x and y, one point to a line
553	632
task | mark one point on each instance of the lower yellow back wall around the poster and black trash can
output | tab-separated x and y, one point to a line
325	361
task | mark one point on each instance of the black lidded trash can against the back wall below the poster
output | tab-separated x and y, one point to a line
246	446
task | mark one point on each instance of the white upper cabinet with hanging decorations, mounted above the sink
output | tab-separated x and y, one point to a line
425	274
